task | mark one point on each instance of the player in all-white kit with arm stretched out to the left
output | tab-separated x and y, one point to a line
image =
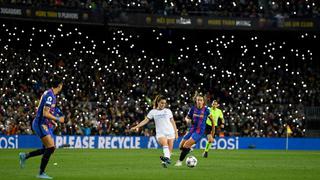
166	129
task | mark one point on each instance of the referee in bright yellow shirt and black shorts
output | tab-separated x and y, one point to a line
217	114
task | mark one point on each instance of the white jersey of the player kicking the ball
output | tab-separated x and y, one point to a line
162	120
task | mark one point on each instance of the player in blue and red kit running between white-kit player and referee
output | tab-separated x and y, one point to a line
197	115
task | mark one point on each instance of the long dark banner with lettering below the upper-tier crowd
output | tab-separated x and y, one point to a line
146	20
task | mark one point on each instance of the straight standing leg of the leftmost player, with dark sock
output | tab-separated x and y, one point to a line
49	149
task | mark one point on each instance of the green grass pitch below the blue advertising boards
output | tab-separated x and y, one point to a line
145	164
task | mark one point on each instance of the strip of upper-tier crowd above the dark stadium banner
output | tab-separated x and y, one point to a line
235	8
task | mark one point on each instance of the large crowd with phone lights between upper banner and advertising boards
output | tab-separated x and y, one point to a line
262	80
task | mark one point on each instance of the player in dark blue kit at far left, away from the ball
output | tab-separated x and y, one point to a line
43	127
